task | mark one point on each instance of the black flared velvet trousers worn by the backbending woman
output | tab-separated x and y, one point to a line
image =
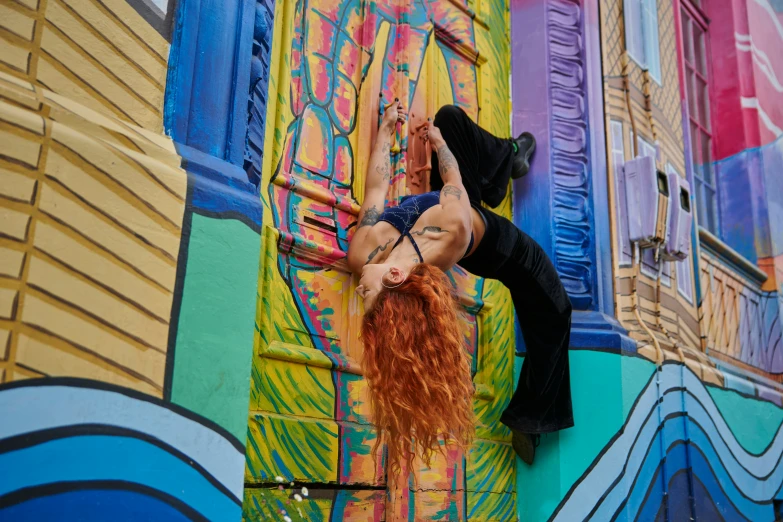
542	400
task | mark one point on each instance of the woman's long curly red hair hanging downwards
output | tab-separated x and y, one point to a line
417	369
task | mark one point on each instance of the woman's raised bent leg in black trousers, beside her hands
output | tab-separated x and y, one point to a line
485	161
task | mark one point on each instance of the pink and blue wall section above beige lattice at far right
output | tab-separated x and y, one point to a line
745	287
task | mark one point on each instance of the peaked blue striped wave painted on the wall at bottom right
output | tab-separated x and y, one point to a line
750	480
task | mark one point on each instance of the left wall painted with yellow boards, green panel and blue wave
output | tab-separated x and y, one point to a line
126	310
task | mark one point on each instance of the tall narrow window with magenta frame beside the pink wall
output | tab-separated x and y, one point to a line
695	38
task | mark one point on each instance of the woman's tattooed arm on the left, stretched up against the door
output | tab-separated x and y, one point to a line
376	187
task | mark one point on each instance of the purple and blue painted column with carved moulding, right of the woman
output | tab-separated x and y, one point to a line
563	203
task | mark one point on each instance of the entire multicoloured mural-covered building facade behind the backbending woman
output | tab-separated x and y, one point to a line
179	181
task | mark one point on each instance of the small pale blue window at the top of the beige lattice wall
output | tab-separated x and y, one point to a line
641	35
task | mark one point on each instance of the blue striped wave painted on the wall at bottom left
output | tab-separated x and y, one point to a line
111	454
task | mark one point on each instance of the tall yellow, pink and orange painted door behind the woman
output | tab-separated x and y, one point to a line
333	62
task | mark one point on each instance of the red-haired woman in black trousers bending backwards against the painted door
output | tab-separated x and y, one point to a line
414	359
